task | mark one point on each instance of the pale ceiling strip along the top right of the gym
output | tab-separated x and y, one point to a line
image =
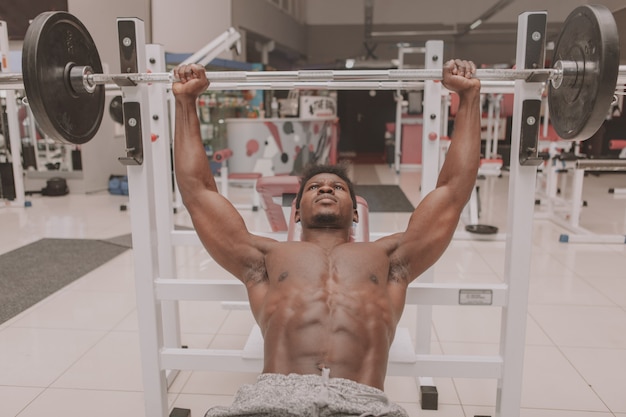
447	12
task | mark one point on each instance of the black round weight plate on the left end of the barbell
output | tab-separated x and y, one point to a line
53	44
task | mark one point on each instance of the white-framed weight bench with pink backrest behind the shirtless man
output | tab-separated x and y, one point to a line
403	358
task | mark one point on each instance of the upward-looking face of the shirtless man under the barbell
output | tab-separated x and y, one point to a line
326	202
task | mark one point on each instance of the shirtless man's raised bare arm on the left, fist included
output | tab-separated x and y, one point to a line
218	224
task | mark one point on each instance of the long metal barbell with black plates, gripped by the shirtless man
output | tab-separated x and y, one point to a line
65	86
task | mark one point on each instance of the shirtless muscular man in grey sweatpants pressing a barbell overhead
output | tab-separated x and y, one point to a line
327	307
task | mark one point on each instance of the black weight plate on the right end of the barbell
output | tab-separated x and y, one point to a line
581	104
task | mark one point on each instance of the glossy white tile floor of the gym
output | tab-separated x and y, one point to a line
77	352
